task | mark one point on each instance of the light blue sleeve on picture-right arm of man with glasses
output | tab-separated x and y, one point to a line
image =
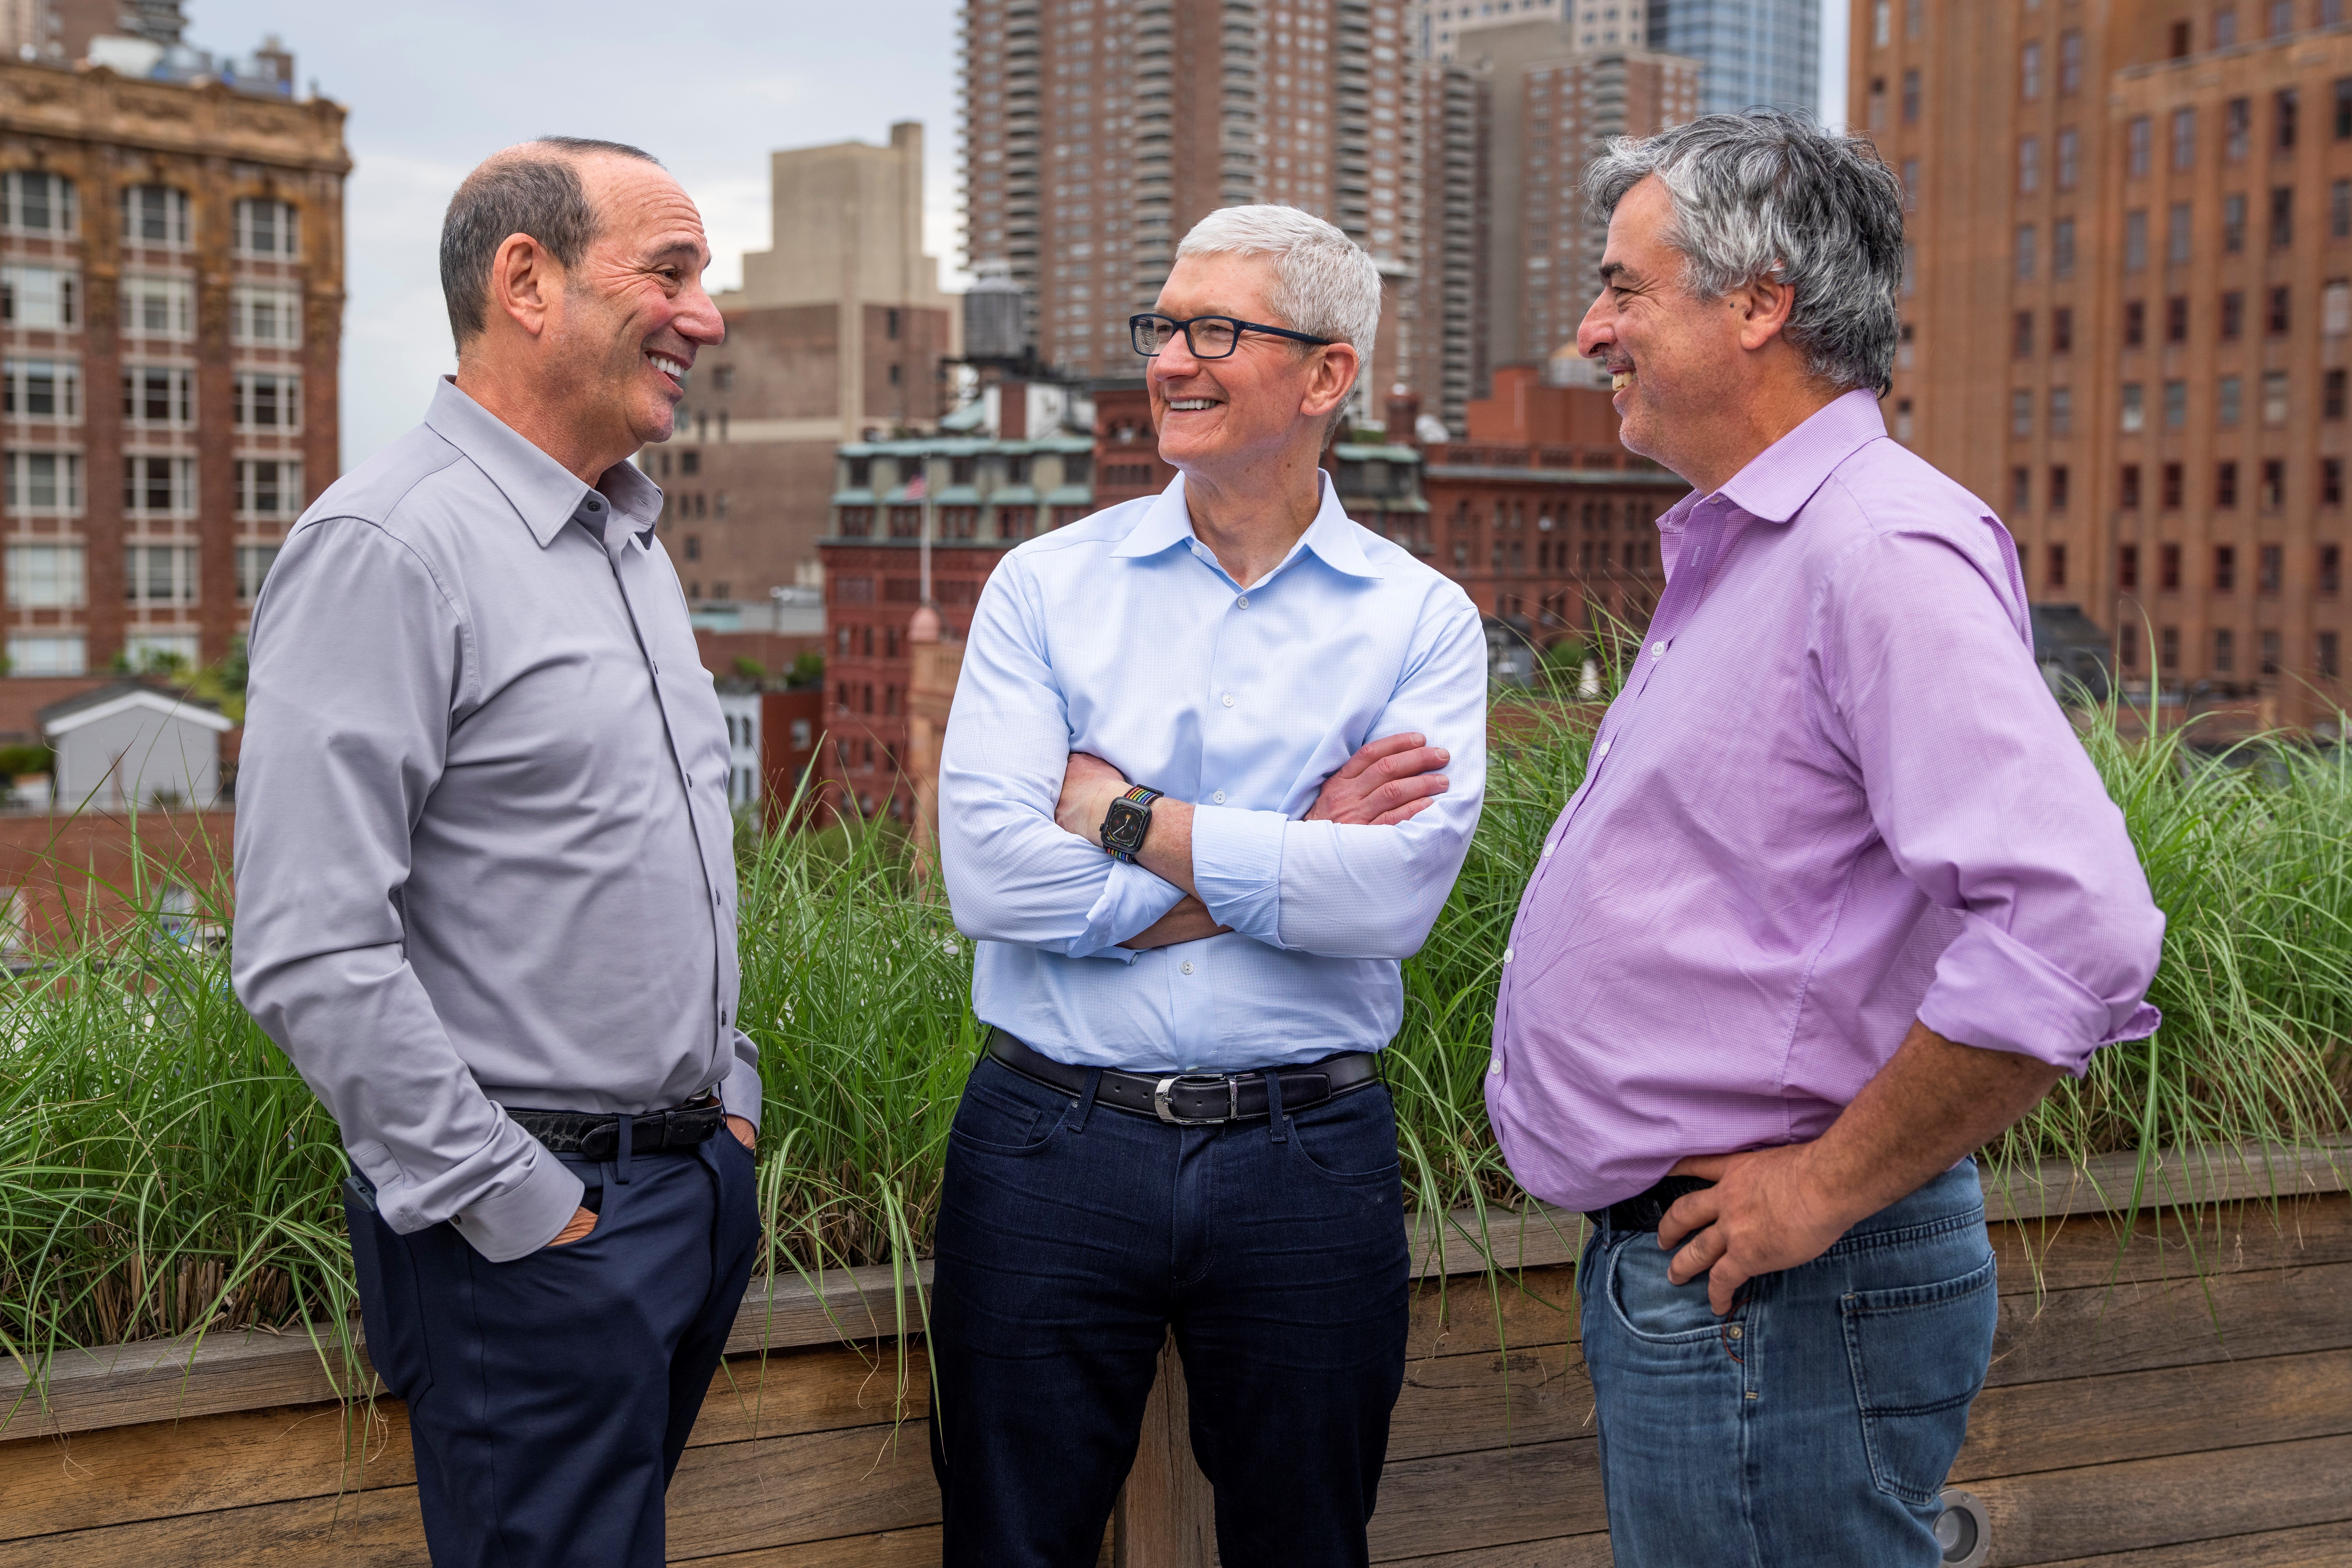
1354	890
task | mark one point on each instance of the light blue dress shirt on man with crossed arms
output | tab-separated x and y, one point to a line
1121	636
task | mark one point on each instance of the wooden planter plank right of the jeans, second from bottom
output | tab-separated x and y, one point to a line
2137	1416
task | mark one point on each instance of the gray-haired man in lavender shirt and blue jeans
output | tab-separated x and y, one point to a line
1838	902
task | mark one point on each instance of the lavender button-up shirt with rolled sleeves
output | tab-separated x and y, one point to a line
1836	796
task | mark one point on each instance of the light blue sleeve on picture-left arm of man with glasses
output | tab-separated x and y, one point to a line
1013	873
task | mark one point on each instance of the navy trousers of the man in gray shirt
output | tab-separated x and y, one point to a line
552	1395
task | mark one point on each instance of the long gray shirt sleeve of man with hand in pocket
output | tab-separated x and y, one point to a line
359	671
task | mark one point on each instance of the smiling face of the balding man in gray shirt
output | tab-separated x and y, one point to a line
634	311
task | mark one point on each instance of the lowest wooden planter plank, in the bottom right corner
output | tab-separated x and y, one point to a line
2156	1503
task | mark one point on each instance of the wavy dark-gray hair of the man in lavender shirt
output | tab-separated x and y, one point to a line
1768	194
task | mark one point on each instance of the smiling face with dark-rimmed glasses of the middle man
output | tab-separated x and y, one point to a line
1252	406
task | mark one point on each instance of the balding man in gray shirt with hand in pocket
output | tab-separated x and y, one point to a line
486	878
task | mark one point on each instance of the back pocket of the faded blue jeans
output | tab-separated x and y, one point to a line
1918	1358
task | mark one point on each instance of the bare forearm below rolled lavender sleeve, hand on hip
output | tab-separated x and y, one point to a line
1930	1106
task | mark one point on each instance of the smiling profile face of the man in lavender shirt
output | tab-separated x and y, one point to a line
1673	361
